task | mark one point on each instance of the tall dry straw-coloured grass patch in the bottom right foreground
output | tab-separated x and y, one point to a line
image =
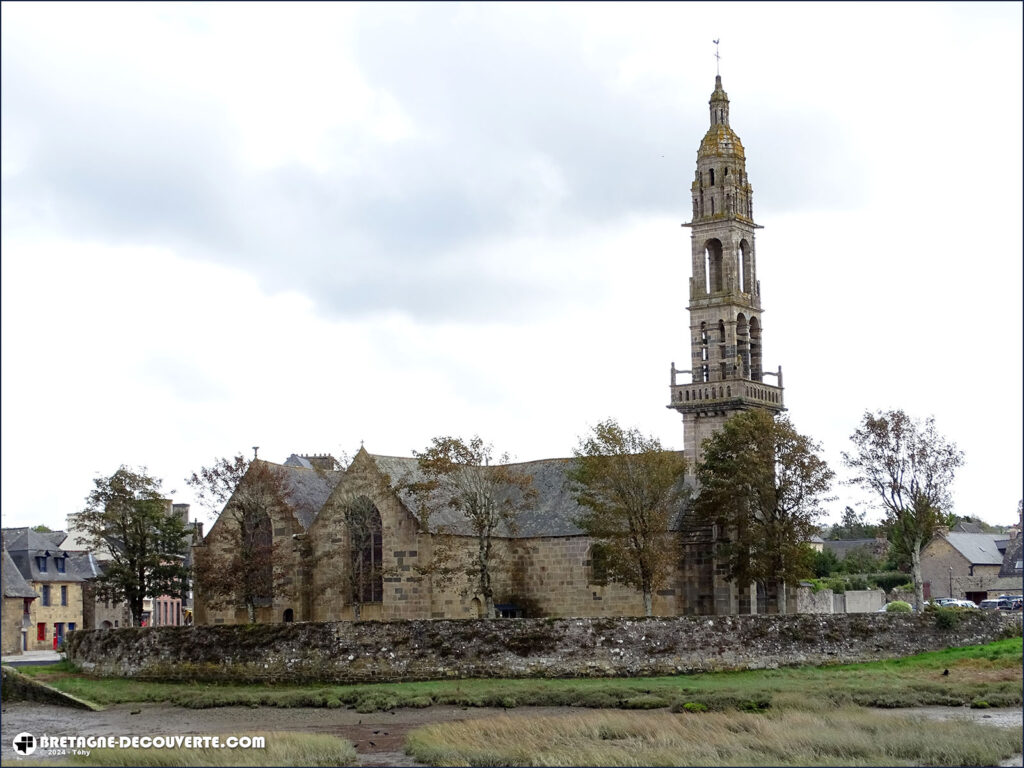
842	737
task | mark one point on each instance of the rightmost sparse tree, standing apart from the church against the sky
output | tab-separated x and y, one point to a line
909	467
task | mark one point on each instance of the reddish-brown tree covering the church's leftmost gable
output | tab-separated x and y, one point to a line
246	496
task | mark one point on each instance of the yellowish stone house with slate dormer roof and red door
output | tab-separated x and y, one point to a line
55	577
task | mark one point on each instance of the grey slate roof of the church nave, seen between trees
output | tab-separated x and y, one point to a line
553	514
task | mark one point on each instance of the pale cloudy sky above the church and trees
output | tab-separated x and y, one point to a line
311	228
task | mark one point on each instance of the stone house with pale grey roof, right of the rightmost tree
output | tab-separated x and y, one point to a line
967	567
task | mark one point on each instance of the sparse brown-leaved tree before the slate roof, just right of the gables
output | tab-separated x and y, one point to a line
460	476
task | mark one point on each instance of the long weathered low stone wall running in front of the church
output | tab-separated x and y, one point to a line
372	652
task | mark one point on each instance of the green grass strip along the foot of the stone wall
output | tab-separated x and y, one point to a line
984	673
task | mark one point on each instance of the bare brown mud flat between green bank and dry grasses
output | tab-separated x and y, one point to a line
379	737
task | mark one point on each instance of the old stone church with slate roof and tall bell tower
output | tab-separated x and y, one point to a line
547	567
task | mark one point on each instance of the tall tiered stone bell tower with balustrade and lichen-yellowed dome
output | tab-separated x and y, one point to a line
727	330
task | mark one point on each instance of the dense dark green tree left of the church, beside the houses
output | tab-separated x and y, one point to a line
127	519
